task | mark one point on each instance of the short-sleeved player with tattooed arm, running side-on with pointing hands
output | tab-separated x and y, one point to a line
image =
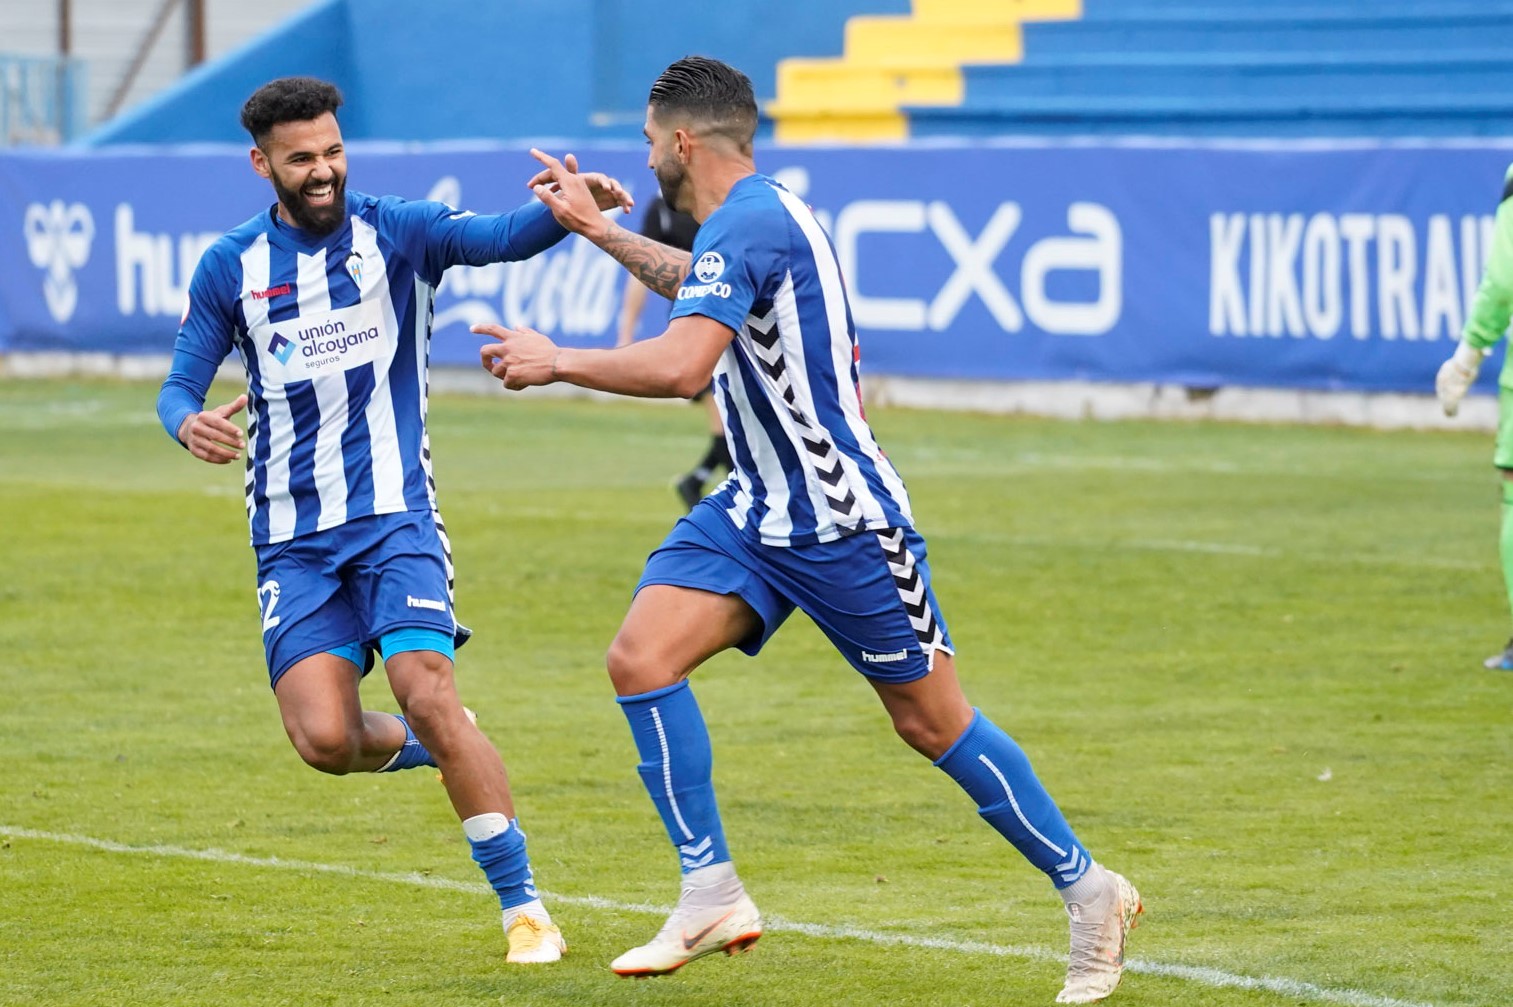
815	518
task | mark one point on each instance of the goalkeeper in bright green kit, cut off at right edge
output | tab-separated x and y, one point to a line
1487	326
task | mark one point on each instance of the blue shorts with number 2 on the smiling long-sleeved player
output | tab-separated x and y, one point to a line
346	589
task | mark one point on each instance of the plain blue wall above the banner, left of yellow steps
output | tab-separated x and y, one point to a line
424	70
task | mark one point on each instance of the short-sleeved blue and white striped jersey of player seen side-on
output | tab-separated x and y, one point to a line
807	465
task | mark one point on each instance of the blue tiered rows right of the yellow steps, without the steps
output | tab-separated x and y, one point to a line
1247	69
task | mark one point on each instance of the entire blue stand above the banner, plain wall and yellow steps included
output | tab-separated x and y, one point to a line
906	69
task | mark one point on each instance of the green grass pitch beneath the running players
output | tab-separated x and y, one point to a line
1246	660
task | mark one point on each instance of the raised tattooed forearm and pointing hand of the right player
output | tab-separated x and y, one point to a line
662	268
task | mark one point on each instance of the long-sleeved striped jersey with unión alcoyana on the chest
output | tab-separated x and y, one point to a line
335	336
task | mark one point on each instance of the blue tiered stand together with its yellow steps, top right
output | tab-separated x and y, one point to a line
1139	67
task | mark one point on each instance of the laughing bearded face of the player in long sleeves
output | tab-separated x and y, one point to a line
306	164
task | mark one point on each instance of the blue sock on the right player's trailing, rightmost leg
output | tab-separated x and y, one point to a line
996	773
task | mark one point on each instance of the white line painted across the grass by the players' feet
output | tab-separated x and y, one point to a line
1195	974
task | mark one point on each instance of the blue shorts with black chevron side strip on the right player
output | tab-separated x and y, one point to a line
869	593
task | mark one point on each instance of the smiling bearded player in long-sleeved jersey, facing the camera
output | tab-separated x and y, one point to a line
326	296
